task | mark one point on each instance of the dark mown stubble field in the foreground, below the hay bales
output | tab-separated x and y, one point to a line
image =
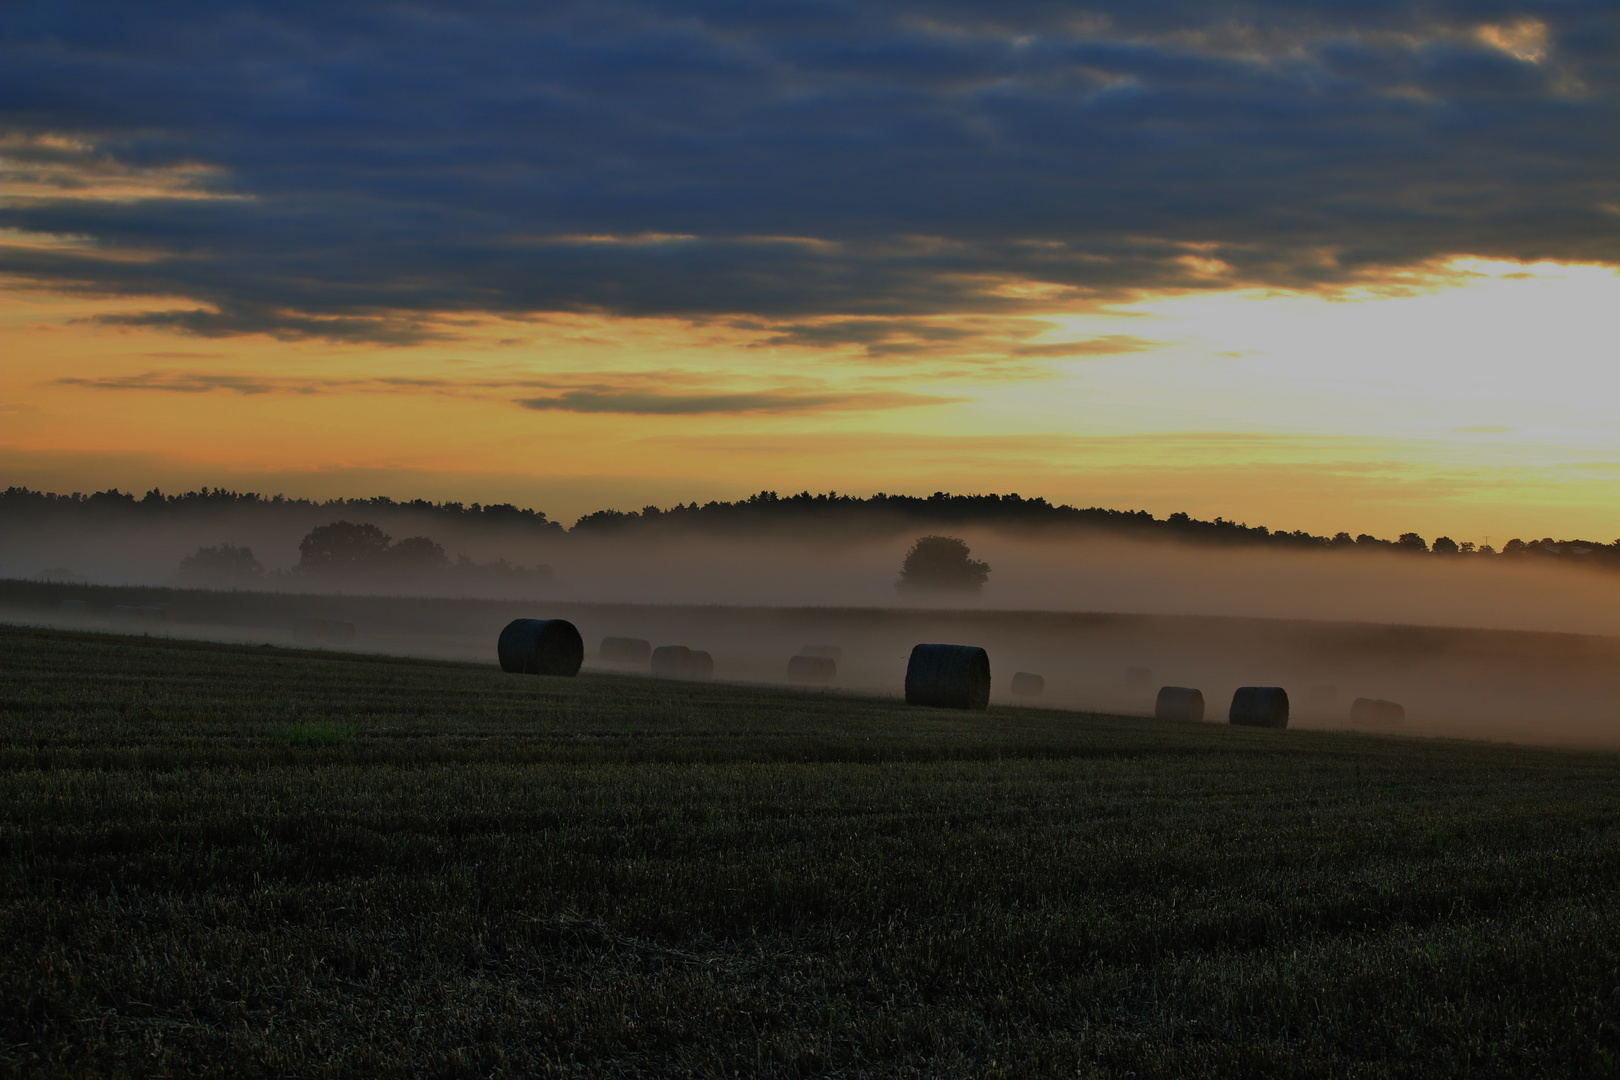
249	861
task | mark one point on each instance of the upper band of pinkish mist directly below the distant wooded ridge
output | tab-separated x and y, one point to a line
1031	571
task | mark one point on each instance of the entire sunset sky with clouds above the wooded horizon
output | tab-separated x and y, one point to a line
1326	266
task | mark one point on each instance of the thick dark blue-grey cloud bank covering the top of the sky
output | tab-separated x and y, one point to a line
378	166
